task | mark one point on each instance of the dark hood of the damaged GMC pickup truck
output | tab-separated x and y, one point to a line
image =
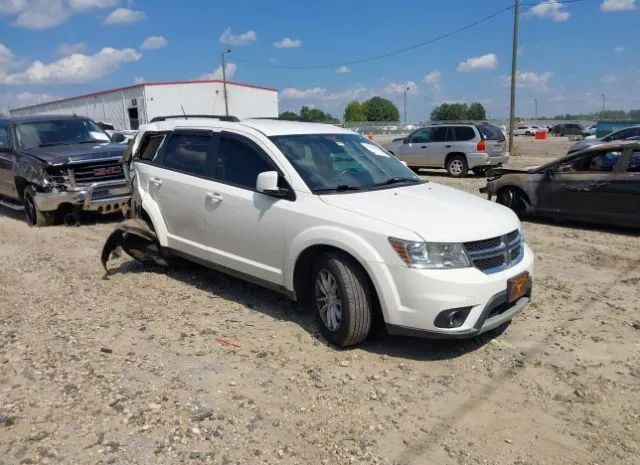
63	154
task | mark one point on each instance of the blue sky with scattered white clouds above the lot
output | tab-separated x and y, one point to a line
314	52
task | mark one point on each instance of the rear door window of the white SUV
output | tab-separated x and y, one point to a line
188	153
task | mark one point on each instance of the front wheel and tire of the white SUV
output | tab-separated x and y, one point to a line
341	286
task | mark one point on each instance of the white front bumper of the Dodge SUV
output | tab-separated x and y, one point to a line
411	299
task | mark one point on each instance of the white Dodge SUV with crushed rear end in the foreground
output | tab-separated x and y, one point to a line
329	218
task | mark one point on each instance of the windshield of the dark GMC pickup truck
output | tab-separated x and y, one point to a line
59	132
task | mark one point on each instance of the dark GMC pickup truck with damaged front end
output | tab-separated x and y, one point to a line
54	167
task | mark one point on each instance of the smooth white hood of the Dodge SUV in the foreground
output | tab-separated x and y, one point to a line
434	212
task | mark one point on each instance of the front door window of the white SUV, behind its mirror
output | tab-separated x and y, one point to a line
239	163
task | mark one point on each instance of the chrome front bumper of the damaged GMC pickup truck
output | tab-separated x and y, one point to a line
101	197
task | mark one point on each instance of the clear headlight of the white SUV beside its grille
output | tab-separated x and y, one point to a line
430	255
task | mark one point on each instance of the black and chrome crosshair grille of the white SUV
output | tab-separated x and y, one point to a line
497	253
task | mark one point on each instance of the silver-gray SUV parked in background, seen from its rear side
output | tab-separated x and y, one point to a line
456	147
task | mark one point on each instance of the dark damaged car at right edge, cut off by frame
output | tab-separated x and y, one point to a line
597	185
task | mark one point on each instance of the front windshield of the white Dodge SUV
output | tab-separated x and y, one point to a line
340	162
